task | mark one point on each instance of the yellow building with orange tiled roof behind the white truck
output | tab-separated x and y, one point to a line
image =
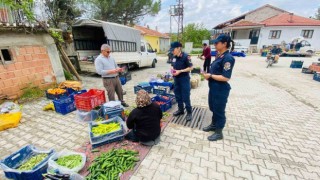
157	40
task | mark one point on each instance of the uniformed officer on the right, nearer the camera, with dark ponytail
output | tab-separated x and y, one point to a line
219	88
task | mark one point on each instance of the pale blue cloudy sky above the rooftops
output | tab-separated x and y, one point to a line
214	12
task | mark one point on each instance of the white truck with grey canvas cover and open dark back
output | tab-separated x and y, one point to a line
127	46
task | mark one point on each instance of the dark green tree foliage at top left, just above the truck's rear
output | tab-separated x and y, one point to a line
62	11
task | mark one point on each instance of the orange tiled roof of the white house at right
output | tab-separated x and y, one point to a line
287	19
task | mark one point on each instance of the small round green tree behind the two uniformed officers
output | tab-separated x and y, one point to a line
195	33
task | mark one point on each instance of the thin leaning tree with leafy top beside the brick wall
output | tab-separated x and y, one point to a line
25	7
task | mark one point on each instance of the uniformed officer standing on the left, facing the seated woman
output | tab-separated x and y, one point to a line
181	66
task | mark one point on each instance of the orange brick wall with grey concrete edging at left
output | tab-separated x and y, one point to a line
35	61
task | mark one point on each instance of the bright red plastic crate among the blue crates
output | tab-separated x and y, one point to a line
89	100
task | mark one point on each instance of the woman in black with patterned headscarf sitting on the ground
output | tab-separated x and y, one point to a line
144	121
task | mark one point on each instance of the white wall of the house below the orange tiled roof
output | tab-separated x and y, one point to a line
287	34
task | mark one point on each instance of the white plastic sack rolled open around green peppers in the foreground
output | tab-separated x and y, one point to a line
54	167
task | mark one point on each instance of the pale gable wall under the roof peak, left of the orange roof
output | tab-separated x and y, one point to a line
262	14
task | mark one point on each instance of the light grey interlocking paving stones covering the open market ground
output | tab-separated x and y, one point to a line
272	129
